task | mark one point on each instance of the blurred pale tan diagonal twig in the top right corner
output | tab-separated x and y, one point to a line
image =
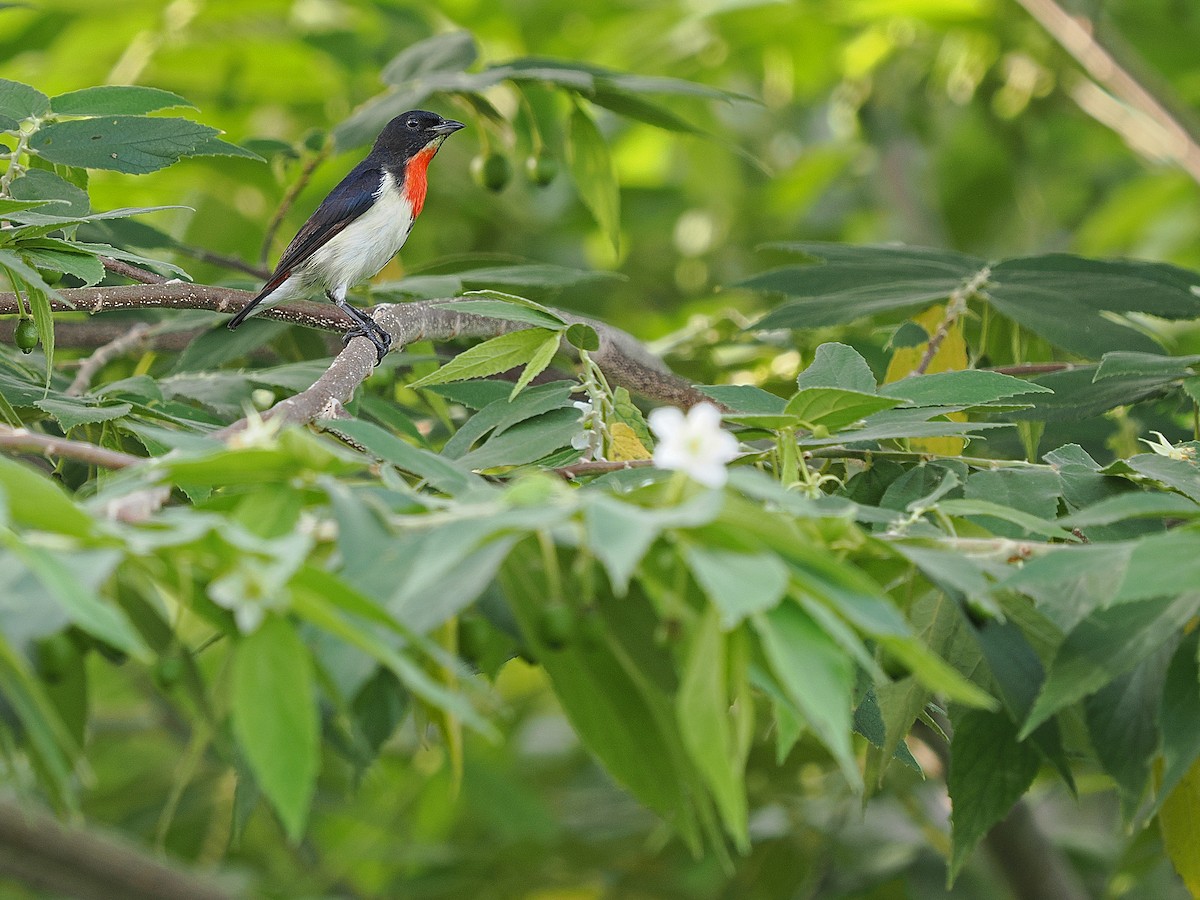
1076	34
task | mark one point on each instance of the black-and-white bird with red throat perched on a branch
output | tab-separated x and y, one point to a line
362	225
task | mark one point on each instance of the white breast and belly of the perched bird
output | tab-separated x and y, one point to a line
367	244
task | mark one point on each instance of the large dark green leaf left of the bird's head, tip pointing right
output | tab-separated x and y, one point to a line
129	143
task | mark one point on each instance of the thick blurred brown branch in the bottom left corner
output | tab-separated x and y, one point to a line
74	862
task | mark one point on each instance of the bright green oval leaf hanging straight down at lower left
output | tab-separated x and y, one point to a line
275	718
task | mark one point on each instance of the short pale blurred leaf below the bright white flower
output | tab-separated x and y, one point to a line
739	585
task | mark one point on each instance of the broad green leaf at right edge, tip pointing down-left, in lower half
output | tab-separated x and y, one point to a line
1107	645
